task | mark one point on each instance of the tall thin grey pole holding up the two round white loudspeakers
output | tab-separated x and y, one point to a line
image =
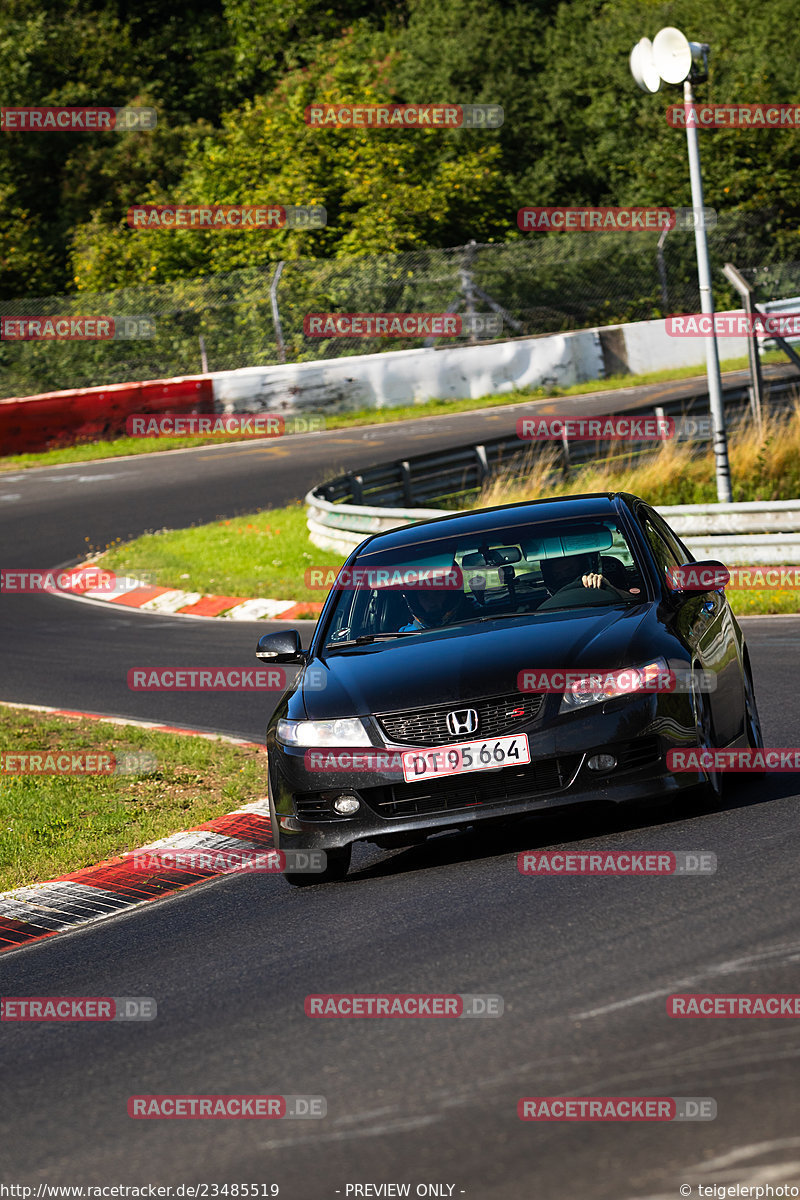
720	439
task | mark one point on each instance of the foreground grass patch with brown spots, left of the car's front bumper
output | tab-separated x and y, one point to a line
53	825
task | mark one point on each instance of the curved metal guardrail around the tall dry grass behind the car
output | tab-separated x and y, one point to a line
346	511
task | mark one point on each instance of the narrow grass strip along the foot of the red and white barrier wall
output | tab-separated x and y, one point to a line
118	448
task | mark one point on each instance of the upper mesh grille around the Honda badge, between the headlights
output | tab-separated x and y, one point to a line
429	727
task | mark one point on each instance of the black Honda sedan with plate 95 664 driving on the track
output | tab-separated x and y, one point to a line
490	664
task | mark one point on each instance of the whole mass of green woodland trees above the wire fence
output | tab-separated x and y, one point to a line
231	86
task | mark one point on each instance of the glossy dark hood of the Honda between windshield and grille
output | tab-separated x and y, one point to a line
470	662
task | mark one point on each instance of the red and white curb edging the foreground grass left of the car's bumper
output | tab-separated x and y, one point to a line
94	893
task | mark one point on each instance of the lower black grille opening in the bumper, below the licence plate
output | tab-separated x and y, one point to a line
479	790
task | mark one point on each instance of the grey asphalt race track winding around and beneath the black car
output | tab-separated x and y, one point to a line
585	965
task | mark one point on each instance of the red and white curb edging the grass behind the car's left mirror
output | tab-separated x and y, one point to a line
133	593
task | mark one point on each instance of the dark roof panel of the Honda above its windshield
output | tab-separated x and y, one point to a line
591	506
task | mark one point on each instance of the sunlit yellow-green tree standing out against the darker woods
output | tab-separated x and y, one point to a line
384	190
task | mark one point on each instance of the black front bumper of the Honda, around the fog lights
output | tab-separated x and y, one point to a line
639	731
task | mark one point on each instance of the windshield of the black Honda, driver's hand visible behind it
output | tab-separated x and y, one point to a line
492	575
